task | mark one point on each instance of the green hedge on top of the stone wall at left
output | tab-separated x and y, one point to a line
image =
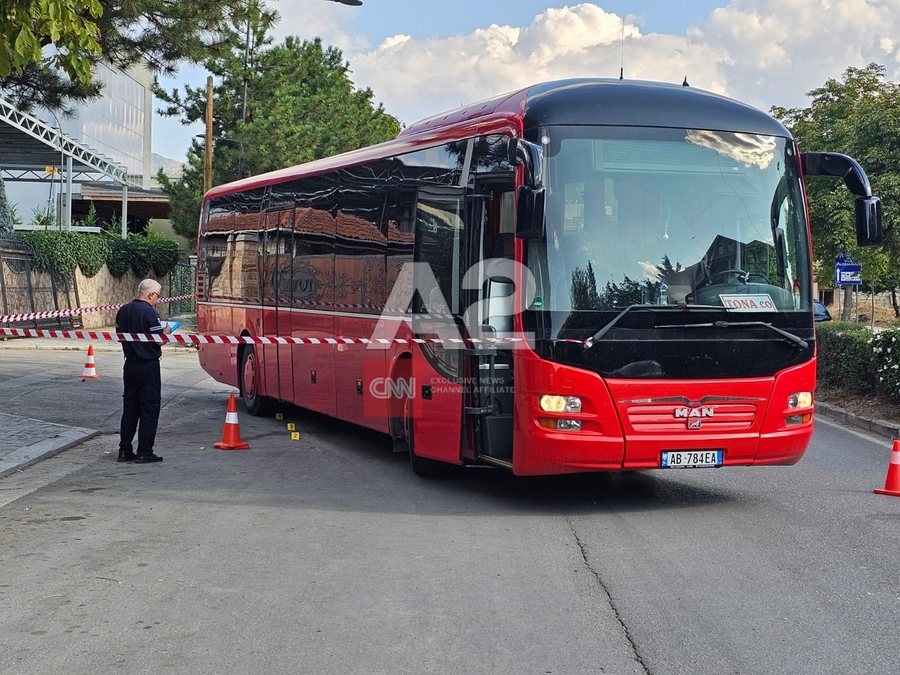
64	251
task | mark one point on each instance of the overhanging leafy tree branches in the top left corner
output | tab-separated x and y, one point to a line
82	33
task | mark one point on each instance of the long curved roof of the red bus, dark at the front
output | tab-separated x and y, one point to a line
581	101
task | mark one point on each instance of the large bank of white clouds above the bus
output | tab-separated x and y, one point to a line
765	52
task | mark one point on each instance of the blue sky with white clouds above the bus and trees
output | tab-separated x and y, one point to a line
422	57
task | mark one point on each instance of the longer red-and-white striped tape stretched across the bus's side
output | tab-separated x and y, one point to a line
195	339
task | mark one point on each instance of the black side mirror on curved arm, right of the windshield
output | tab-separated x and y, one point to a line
869	230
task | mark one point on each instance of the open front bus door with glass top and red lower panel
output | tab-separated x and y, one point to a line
438	369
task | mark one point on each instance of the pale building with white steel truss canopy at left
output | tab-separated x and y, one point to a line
101	155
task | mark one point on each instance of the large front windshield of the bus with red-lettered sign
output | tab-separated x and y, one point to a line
640	215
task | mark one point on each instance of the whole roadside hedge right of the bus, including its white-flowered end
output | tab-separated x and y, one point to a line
851	357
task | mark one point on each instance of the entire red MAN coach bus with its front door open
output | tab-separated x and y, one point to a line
648	243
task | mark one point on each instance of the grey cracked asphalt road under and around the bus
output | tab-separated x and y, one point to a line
326	554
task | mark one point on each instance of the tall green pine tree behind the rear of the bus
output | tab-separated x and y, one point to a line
301	105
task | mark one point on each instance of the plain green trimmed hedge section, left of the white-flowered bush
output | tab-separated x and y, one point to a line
845	356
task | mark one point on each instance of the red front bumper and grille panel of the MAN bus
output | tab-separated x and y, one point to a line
625	426
